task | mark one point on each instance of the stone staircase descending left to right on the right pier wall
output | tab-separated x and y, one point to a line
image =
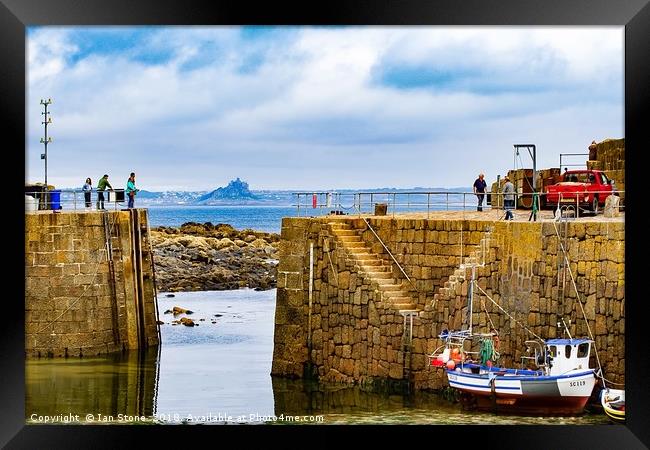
394	290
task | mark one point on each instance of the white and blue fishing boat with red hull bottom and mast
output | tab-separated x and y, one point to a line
554	377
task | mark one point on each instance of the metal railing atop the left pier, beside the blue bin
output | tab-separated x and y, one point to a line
72	199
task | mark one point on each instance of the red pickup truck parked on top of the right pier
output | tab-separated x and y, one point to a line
588	188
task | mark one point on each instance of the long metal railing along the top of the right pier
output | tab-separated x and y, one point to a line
323	203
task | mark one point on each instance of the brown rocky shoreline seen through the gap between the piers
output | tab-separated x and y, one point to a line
202	257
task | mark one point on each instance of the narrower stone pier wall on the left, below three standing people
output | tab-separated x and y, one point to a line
89	285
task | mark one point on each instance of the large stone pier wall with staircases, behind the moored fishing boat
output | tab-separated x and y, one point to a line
353	334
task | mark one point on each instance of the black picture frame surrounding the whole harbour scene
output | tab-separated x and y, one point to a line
15	15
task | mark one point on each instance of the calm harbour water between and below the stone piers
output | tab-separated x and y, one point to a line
218	372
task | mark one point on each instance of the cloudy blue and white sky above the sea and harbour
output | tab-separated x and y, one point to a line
316	108
